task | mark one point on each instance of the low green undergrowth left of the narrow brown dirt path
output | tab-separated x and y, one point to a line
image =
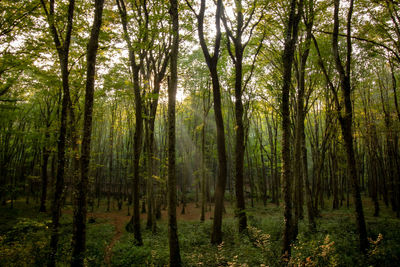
25	235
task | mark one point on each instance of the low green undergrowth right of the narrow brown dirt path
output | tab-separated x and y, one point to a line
334	243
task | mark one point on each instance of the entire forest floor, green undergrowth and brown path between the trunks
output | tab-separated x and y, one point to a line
24	237
